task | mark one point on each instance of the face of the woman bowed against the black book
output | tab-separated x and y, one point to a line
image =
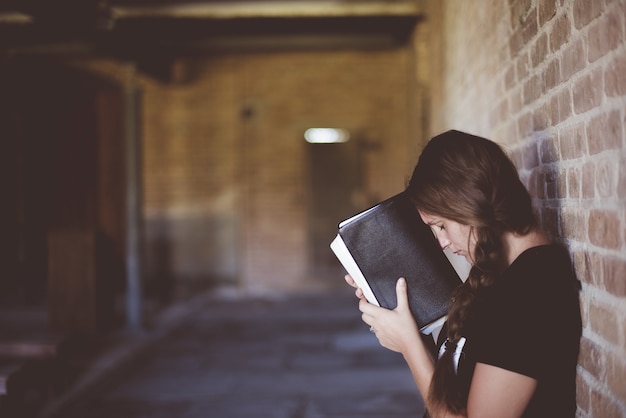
451	234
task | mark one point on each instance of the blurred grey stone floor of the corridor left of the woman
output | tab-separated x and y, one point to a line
233	357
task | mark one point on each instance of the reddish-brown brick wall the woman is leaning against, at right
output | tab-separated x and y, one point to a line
547	79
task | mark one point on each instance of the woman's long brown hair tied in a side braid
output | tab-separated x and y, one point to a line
470	180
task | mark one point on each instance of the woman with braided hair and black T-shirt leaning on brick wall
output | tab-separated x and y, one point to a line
513	330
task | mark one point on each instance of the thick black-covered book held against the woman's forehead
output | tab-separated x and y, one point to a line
388	241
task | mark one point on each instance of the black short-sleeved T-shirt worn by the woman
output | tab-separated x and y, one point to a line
529	322
